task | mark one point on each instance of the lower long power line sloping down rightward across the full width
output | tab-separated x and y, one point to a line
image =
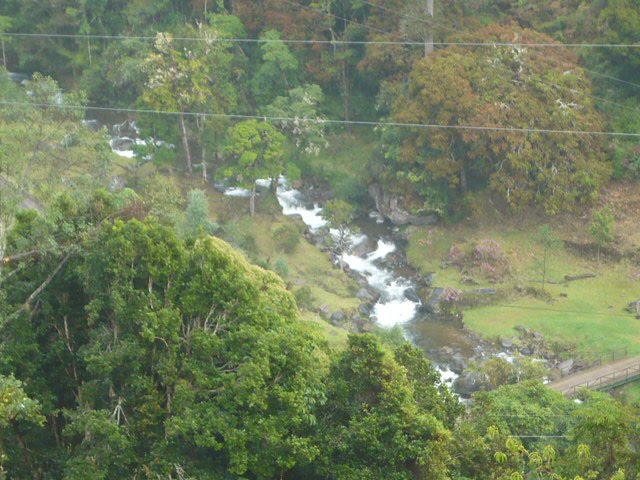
329	121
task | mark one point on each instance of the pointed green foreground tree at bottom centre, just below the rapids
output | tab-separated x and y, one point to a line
378	421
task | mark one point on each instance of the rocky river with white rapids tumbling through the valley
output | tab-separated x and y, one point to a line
373	255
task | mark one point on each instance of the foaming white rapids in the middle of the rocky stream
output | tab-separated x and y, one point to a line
393	308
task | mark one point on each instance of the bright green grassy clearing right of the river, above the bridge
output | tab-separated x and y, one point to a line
588	314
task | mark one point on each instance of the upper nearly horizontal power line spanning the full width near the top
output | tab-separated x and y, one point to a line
327	42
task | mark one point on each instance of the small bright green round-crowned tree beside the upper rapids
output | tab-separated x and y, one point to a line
257	151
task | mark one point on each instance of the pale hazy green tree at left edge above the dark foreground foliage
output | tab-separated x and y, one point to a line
45	151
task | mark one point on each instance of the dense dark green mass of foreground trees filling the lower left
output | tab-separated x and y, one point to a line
162	358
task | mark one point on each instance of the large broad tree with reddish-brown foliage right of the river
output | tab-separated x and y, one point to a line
503	87
